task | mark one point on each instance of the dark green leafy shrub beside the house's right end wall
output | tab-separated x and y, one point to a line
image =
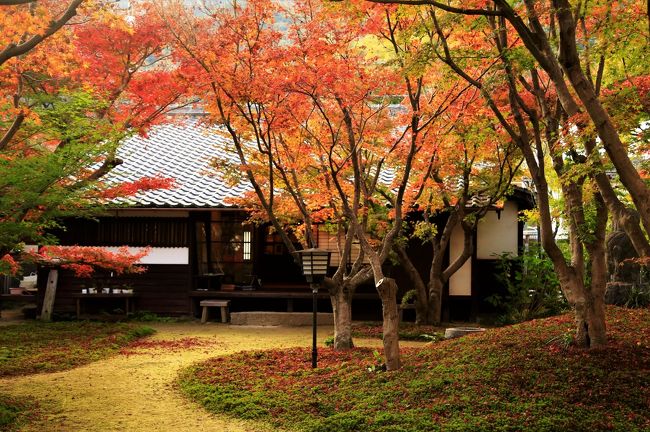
532	289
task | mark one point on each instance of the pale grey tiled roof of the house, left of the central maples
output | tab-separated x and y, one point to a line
182	152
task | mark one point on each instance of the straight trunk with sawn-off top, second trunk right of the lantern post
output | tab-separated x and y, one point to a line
387	289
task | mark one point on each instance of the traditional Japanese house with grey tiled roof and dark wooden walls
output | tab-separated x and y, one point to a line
203	247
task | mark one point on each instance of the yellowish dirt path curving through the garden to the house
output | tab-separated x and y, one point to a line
134	392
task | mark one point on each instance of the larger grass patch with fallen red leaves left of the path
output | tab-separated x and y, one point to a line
49	347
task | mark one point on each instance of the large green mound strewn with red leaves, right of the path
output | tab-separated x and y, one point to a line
523	377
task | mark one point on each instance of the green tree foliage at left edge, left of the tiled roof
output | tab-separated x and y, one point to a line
40	184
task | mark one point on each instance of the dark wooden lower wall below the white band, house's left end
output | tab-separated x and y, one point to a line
163	289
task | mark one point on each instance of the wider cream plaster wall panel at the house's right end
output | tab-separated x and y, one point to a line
497	235
